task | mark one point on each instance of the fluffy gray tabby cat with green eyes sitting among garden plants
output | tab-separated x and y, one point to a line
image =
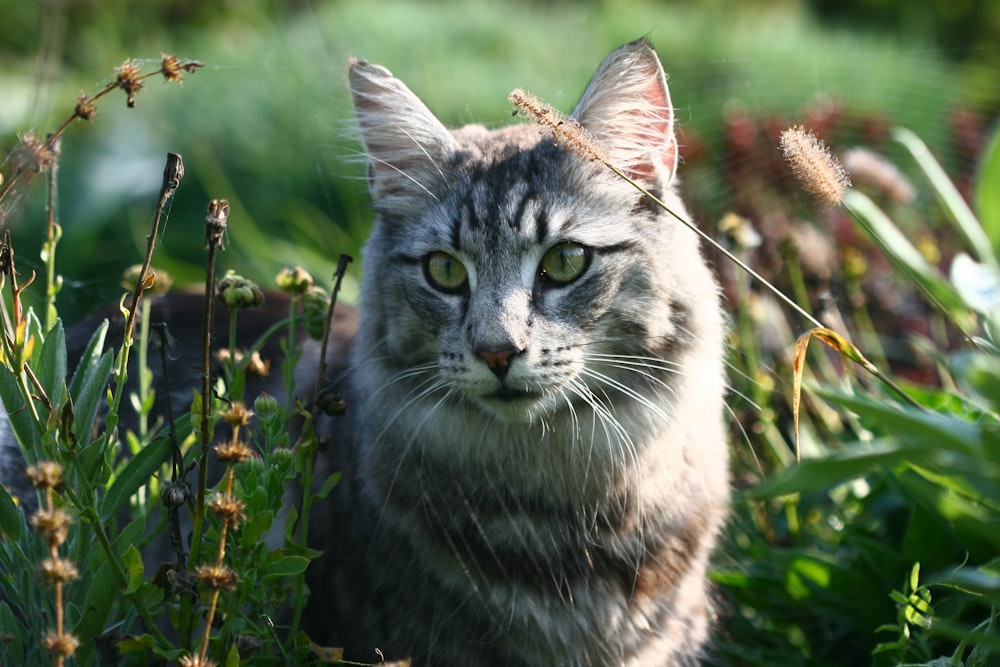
538	469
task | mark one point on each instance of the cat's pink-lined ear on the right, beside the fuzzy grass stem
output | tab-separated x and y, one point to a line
626	106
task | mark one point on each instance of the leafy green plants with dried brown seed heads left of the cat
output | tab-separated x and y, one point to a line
82	576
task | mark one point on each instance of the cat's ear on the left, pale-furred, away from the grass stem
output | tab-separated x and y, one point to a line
406	145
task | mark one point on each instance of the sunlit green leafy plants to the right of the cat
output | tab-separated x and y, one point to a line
882	542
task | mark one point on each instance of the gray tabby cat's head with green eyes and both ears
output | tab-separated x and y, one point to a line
508	273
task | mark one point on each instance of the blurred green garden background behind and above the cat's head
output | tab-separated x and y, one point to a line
266	123
